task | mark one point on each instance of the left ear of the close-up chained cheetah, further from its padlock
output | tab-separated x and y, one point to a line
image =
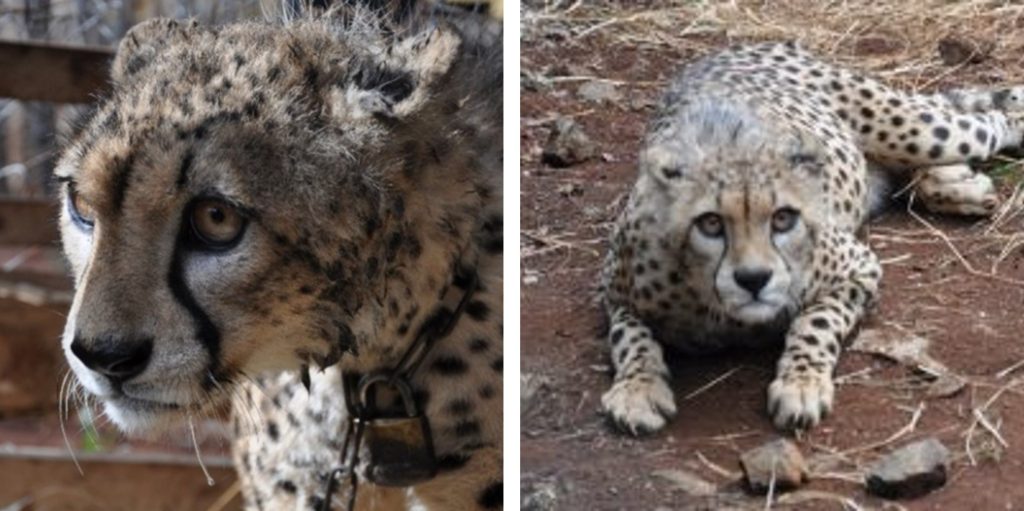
145	44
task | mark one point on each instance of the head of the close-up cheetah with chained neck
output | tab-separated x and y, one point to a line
247	198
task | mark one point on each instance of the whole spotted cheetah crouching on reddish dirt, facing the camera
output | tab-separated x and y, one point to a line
756	174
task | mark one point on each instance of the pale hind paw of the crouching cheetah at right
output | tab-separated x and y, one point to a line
958	190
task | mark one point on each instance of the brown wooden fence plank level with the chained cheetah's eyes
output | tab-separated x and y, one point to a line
28	222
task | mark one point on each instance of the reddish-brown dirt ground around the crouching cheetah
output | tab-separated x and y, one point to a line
970	310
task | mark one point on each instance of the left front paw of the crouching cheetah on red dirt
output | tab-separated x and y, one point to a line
642	405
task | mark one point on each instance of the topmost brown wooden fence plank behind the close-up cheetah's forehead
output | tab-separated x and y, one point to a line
53	73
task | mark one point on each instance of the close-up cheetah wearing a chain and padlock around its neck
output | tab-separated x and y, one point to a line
269	215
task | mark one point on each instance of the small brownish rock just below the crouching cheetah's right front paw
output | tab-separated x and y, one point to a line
781	458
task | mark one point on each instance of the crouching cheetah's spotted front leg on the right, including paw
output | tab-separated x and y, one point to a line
803	392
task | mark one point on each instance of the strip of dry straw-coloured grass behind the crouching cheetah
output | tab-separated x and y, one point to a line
895	40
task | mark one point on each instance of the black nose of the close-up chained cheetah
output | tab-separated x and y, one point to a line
118	359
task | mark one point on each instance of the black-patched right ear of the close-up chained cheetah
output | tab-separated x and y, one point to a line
400	81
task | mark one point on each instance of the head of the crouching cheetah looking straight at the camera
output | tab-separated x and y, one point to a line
741	207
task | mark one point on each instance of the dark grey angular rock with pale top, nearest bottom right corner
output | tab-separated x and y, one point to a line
910	472
